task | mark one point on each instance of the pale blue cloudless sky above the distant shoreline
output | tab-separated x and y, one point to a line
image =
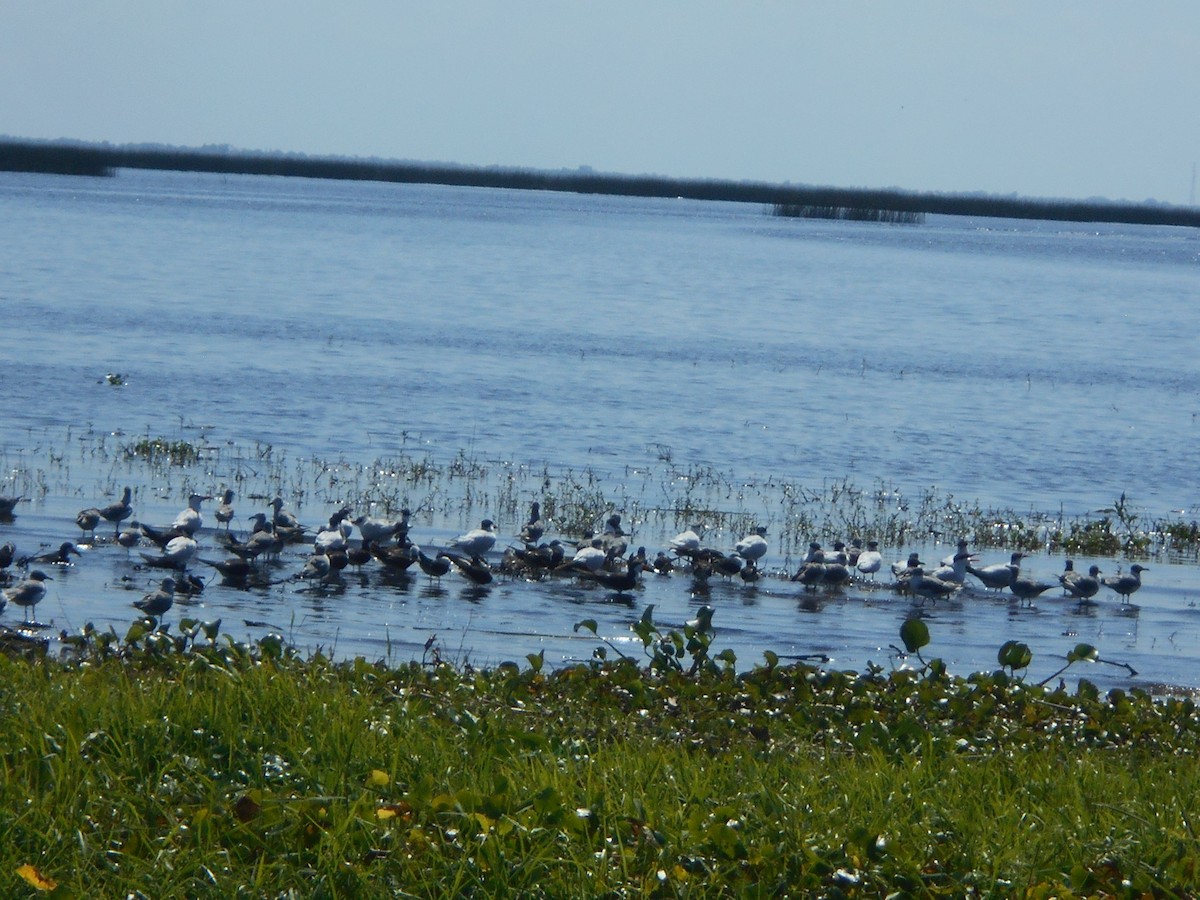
1090	99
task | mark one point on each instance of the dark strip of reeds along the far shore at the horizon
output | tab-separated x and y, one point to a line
99	160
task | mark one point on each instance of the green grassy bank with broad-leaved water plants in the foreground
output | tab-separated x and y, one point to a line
173	766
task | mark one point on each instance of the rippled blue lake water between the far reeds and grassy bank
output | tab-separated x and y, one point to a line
671	357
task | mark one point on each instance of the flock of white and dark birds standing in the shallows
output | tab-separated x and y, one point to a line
599	557
